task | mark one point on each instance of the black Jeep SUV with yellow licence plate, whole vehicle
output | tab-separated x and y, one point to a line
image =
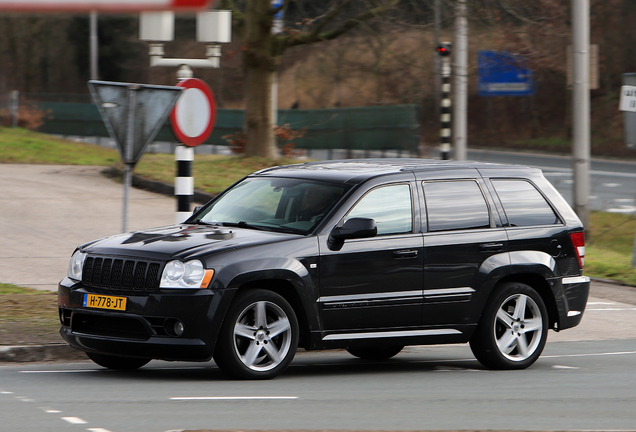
366	255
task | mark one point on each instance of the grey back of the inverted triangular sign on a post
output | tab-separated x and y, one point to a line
133	113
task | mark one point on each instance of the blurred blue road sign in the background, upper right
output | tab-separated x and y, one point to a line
503	74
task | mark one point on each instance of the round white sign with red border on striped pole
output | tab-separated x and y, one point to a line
194	115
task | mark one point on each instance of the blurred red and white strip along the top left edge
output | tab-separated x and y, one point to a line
100	5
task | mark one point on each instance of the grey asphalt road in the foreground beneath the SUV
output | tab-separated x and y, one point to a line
573	386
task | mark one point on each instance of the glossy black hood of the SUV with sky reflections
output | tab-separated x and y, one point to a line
181	241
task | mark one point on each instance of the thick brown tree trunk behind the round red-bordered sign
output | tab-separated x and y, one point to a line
259	66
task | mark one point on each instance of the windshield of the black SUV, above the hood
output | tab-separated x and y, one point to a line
276	204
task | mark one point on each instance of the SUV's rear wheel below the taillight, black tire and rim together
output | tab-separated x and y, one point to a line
513	328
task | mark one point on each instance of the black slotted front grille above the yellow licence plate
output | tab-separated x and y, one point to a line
121	274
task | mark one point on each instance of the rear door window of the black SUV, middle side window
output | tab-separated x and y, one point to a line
453	205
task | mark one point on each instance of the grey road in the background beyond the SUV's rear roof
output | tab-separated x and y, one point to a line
613	183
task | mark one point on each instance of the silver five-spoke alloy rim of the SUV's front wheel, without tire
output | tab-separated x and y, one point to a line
262	336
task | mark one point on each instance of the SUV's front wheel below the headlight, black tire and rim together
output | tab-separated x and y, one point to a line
259	336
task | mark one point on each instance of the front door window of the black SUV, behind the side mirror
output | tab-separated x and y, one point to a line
389	206
